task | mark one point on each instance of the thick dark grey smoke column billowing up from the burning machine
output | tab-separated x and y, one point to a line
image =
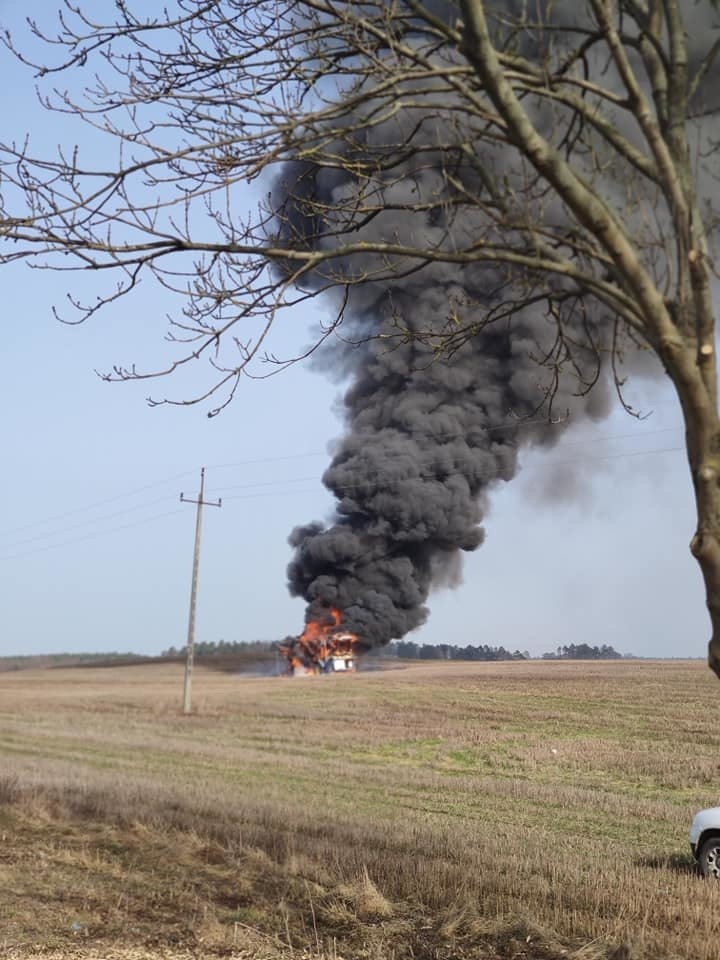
427	437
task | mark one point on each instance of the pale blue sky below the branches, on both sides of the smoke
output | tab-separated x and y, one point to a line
96	549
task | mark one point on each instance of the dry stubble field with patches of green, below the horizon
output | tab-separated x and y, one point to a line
449	810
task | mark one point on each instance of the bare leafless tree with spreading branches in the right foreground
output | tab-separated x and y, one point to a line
548	168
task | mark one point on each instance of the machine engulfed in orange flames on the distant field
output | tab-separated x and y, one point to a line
323	647
